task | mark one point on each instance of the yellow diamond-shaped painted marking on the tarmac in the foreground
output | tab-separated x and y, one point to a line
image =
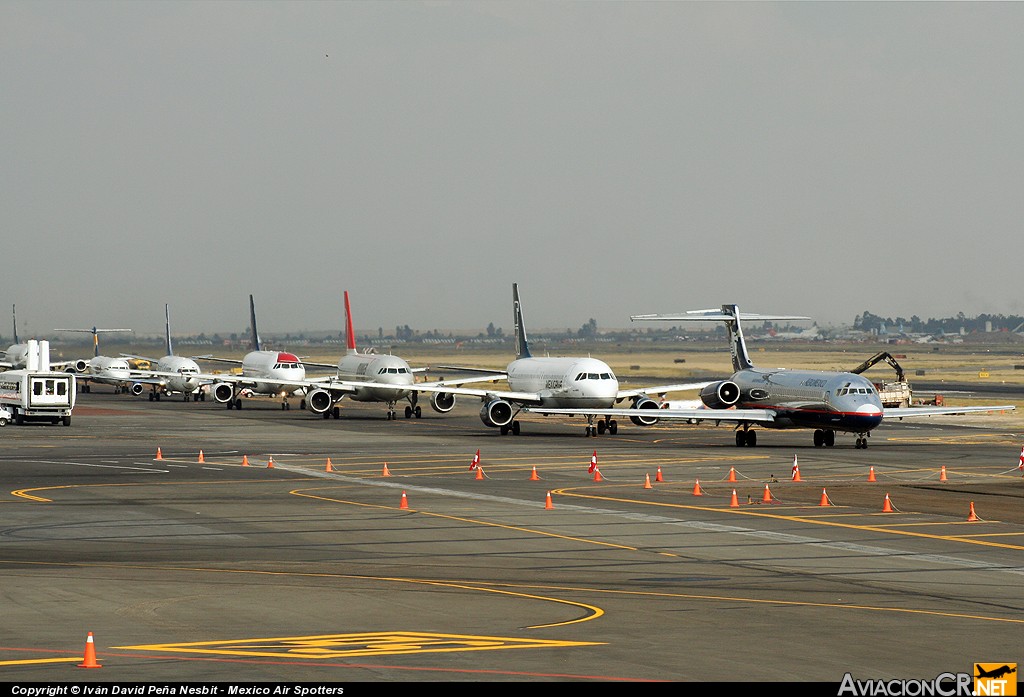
358	645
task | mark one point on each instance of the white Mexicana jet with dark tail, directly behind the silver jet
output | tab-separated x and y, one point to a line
568	385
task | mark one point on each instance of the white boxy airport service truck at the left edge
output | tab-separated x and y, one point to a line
35	394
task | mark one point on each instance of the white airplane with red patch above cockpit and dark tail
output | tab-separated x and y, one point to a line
264	372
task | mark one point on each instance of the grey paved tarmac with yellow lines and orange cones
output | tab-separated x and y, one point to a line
204	545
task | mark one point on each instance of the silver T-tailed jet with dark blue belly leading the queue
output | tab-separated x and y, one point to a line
784	399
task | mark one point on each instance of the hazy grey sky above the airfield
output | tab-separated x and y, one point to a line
612	158
